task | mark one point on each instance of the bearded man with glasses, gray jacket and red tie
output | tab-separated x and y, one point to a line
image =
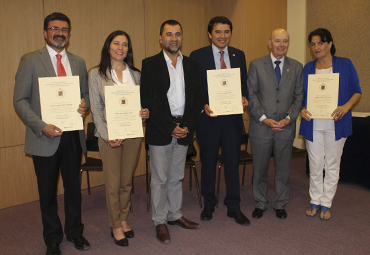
50	147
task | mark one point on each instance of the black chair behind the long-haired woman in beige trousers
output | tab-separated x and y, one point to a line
94	164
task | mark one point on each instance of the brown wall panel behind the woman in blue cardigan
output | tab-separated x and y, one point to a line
349	25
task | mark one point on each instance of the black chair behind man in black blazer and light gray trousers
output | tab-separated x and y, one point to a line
192	152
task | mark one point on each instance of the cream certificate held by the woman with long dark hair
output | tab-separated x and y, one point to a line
122	107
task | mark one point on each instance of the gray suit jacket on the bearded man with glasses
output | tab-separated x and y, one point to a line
26	99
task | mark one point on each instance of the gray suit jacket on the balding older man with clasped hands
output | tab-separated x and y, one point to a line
273	100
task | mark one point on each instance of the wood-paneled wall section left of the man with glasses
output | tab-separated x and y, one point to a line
20	33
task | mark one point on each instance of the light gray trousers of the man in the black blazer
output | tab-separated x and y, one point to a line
167	164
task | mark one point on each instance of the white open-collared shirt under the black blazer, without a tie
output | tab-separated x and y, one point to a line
176	92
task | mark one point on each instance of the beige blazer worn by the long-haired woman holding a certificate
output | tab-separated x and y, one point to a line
97	98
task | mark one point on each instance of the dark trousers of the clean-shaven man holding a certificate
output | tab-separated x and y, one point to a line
225	131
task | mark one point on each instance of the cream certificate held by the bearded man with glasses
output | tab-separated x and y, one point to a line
59	101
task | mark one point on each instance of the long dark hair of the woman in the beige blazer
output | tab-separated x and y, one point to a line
105	61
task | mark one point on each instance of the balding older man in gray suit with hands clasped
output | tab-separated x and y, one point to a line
275	86
